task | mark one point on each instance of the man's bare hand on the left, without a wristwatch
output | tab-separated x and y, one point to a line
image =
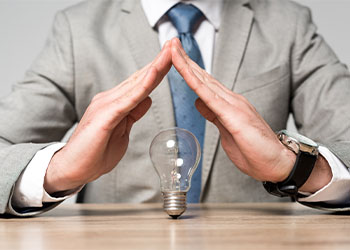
102	136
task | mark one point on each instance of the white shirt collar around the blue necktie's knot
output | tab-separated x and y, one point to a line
155	9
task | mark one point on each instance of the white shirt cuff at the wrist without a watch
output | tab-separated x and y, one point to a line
29	188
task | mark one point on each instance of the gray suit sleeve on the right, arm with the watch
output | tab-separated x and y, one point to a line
321	94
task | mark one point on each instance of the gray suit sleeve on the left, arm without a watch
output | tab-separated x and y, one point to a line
39	111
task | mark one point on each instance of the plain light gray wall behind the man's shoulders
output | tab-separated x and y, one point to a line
24	25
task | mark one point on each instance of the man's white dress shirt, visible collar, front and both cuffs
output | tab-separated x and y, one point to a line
29	191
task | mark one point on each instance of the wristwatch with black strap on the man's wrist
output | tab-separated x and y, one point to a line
306	151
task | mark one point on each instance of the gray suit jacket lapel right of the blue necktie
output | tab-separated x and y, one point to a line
232	40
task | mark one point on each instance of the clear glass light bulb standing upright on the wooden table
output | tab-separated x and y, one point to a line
175	154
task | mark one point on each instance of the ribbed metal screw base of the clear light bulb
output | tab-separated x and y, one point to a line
174	203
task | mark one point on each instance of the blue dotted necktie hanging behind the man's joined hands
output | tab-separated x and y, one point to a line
185	17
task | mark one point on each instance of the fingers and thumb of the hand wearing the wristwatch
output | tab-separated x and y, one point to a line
218	102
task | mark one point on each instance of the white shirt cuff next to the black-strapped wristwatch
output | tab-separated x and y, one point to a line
337	191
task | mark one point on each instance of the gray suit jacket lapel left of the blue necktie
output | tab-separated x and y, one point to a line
144	46
